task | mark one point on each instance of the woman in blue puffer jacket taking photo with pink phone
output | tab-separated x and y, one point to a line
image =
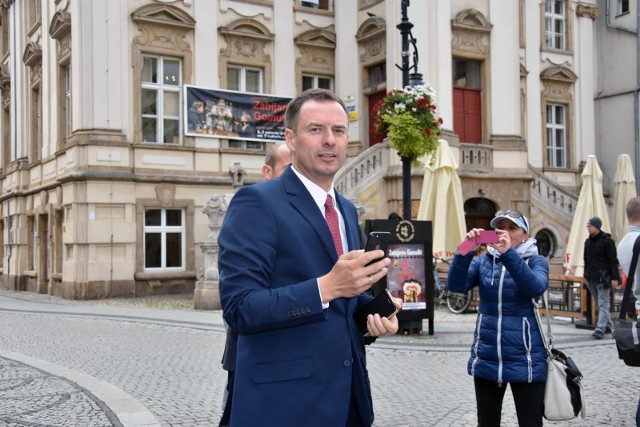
507	346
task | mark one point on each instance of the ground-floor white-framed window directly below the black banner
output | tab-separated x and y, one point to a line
164	240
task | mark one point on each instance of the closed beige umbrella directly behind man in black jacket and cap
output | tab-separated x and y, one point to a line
590	203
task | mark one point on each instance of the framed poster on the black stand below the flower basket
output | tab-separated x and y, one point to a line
406	276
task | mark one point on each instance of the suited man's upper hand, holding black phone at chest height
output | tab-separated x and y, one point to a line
350	276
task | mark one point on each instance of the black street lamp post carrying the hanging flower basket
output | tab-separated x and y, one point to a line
408	79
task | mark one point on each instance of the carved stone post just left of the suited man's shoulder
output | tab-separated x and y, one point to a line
207	292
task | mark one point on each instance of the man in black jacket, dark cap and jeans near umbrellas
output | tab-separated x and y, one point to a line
601	272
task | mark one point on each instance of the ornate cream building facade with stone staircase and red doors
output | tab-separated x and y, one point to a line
103	189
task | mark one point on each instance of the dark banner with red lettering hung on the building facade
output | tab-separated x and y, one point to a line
235	115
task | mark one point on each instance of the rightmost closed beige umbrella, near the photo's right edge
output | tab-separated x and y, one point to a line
625	190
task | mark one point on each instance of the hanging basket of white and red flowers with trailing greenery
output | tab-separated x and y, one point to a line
408	118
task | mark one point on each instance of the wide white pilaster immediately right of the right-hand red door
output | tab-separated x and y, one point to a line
505	71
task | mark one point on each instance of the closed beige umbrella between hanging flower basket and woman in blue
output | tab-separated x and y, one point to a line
441	202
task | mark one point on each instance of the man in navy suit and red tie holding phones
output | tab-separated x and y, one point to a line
287	291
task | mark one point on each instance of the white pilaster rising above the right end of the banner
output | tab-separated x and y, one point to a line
284	60
